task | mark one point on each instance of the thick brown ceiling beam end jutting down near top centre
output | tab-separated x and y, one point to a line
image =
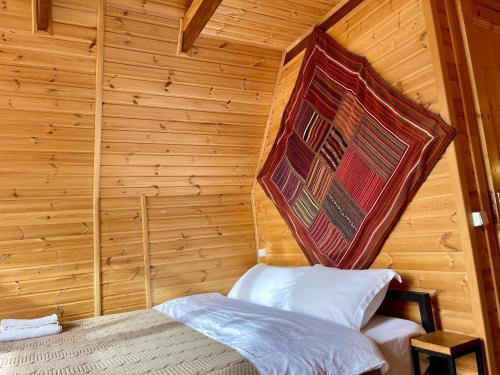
197	16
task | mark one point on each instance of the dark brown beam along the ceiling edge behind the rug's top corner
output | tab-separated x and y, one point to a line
330	19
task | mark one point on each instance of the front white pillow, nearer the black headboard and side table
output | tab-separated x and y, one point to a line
346	297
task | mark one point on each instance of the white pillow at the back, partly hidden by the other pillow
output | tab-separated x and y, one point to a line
266	285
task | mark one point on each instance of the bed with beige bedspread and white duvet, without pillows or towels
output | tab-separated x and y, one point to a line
214	334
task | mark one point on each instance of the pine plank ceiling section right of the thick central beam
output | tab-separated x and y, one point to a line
271	24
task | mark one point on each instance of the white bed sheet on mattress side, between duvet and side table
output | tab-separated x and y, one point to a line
392	336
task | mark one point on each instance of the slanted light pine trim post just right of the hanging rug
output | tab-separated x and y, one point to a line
458	175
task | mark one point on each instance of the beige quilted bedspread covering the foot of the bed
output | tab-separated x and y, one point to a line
142	342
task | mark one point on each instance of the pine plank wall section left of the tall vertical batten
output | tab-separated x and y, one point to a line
46	125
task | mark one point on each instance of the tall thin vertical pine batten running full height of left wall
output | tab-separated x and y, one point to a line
101	8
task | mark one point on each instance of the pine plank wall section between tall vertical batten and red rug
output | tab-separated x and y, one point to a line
185	132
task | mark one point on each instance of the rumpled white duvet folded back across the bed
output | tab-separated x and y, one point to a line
276	341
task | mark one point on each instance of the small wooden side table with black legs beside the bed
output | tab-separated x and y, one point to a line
448	346
